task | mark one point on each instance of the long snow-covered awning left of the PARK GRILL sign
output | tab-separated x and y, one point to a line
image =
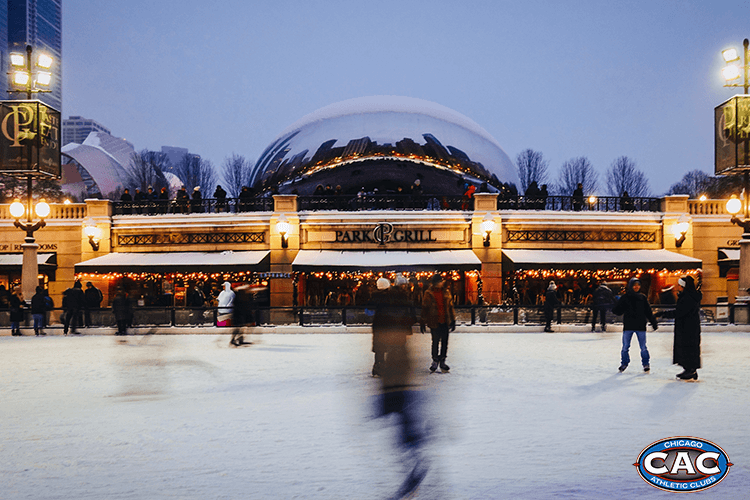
166	262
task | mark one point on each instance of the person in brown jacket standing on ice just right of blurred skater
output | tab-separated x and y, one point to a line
438	314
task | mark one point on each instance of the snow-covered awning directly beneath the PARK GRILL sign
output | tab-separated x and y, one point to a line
321	260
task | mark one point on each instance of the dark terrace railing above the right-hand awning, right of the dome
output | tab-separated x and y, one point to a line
570	203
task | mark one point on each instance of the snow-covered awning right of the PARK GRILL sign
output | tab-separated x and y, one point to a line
598	259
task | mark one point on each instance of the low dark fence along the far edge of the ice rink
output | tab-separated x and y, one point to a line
317	316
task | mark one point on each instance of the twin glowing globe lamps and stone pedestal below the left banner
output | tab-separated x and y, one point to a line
30	269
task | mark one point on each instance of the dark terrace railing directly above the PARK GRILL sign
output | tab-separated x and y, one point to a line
348	203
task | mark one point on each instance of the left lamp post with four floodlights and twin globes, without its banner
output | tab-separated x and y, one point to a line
27	75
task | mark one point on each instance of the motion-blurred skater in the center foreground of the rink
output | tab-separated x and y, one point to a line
392	323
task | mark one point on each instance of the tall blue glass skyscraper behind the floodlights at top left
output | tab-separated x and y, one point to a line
37	23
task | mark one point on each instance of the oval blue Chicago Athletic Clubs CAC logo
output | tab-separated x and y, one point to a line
683	464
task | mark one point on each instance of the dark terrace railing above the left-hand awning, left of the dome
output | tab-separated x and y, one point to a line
208	205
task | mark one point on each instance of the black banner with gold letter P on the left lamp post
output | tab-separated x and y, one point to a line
30	139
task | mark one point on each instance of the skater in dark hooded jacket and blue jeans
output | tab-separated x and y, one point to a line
635	311
